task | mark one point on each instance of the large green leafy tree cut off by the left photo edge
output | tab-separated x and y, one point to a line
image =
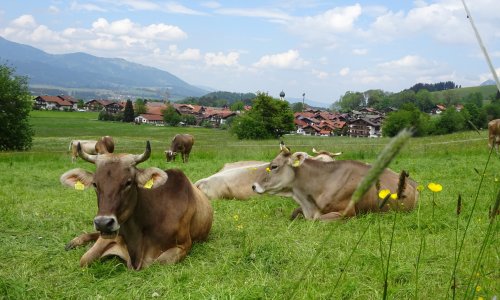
15	107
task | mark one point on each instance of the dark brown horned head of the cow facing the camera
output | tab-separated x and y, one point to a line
116	181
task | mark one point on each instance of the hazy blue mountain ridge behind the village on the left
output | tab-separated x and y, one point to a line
86	76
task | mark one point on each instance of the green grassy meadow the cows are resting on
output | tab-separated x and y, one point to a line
254	251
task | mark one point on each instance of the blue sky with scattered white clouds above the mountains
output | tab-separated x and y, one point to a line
320	48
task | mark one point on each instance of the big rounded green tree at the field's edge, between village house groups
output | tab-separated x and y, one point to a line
268	118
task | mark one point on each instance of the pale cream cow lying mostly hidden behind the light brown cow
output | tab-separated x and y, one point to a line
234	180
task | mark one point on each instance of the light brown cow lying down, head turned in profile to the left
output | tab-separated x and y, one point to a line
324	189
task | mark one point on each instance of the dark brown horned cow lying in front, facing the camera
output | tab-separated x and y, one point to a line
144	215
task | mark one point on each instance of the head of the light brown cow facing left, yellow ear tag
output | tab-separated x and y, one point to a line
280	173
